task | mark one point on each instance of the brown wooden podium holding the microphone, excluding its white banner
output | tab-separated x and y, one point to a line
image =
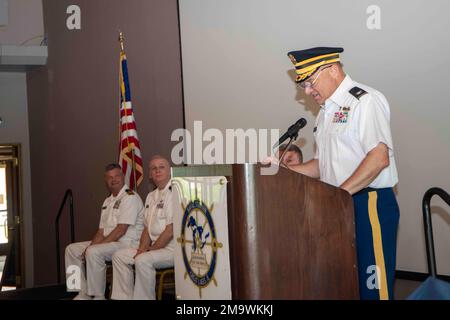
290	236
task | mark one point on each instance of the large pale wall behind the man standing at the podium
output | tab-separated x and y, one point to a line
237	75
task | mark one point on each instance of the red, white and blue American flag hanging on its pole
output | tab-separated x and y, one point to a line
129	149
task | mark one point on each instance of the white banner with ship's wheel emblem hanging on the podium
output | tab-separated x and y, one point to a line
202	262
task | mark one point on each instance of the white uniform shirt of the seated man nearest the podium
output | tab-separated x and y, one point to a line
159	213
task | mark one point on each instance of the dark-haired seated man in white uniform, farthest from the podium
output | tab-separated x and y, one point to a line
121	224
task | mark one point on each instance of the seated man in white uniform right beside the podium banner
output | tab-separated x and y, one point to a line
156	245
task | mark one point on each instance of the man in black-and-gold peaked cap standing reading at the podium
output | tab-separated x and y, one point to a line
354	151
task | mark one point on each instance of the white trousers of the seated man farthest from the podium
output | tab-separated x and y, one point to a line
93	268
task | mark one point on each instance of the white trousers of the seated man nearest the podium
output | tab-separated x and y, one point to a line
125	287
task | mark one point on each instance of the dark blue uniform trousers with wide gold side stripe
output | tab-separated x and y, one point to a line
376	221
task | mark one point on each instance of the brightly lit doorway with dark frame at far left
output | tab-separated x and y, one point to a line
10	217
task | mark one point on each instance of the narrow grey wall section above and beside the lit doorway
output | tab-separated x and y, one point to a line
14	129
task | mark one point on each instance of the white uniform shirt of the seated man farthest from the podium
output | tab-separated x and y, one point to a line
124	208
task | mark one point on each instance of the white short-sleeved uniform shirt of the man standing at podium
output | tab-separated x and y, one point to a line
347	129
